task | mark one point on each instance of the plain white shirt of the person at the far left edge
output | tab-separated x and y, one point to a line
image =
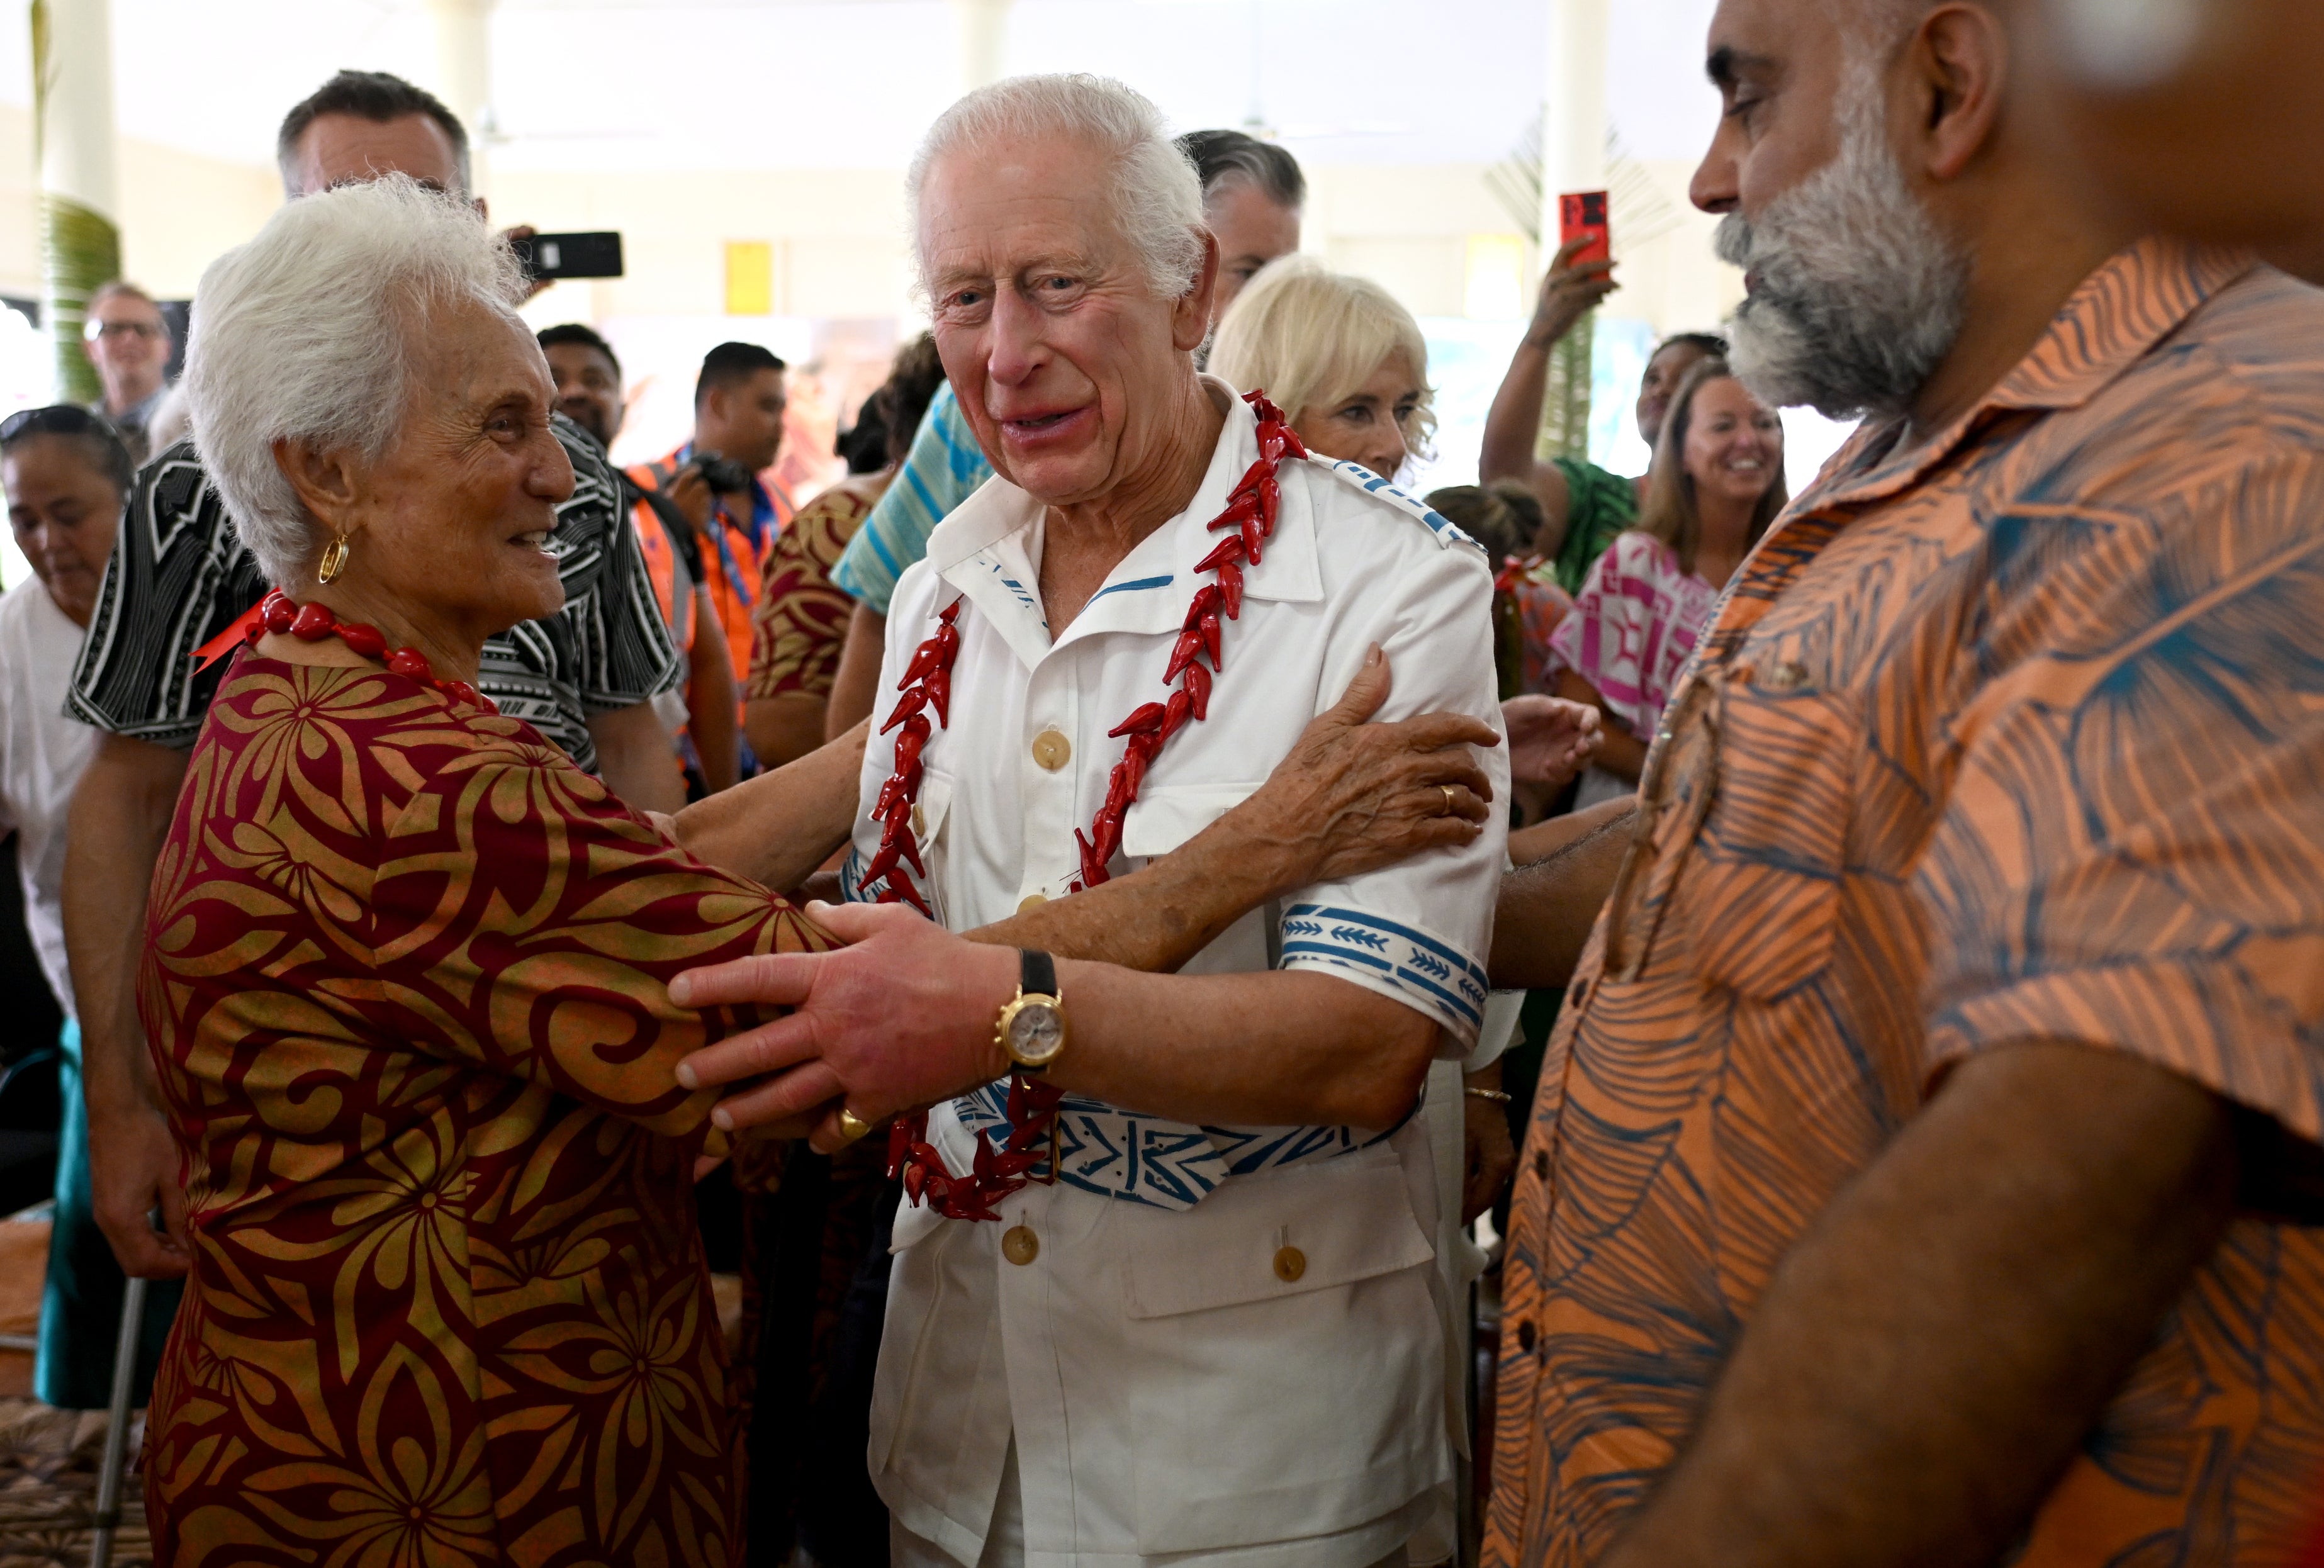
43	756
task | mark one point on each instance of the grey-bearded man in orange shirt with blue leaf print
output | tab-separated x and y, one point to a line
1928	1165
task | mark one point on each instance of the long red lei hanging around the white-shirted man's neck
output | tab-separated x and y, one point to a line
928	684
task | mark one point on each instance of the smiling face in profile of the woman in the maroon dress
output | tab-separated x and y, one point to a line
450	528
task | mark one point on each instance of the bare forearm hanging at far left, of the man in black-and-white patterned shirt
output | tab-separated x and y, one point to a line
120	821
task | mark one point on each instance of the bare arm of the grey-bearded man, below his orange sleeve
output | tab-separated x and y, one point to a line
1949	1332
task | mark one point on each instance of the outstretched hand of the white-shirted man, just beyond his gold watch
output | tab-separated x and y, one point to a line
903	1019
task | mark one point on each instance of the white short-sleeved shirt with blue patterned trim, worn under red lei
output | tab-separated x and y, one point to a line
1261	1451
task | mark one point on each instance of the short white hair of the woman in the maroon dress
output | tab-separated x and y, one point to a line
306	336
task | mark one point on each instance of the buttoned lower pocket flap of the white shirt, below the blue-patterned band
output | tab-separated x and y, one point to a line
1277	1235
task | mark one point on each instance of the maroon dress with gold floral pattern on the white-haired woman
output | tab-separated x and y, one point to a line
406	988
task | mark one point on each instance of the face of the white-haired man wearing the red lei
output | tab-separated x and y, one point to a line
1073	373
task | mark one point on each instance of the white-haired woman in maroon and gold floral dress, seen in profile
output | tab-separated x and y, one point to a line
406	977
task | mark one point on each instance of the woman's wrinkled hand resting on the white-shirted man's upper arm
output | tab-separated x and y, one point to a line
1356	798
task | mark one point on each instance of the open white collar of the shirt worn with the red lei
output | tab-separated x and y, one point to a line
987	552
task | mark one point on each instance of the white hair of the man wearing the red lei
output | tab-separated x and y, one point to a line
1156	192
